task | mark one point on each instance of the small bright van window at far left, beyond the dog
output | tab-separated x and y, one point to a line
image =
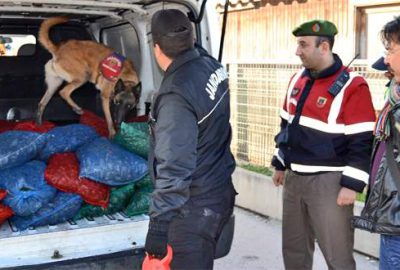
17	45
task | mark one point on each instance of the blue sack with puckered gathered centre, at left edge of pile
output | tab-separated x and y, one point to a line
27	190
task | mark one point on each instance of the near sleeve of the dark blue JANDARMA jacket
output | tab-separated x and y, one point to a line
175	151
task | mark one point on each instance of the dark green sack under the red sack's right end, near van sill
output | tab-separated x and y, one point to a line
119	199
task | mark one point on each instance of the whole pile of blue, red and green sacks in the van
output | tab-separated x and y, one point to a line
50	174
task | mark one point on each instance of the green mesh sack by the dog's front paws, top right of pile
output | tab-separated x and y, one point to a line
134	137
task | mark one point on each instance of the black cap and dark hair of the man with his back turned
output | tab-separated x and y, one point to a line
172	31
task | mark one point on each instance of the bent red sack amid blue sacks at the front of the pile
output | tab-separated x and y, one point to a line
62	172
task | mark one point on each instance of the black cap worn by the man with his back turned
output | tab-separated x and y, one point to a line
170	22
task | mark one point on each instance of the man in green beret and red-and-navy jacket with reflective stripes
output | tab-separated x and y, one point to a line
323	151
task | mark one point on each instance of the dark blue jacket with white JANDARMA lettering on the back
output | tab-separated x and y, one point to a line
190	155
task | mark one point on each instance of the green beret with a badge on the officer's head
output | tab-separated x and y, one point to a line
315	28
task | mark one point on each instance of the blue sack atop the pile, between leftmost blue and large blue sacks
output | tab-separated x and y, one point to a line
67	139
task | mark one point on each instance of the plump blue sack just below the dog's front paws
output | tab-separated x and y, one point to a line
109	163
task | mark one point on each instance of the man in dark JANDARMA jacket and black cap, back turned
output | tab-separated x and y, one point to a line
190	159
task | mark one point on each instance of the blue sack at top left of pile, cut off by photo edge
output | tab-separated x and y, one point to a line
19	147
